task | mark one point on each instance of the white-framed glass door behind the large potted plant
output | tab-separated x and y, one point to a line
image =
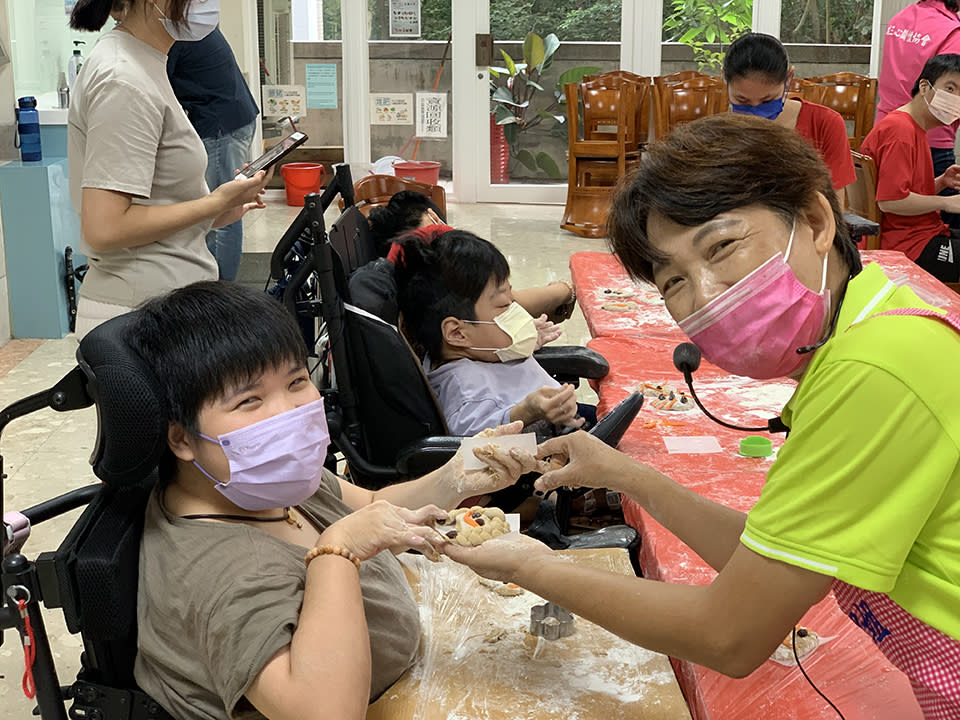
517	100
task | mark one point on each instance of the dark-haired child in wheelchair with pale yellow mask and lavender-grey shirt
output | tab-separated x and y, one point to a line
458	306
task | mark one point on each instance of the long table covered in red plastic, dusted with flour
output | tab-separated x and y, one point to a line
639	345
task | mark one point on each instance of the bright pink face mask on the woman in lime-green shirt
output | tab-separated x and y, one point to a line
755	327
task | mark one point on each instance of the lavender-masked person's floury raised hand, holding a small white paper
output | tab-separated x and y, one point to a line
503	467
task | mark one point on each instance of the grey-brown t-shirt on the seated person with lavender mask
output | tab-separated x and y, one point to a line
217	600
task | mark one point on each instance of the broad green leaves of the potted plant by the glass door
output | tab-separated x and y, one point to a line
519	100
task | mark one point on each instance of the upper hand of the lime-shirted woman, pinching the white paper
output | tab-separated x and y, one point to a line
582	460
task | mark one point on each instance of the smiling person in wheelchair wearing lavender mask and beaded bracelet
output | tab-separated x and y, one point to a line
267	583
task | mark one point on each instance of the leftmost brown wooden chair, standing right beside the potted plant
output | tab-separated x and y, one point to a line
615	112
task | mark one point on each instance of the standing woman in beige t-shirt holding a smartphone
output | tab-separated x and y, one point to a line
137	164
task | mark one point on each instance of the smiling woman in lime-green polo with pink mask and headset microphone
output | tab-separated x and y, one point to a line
735	220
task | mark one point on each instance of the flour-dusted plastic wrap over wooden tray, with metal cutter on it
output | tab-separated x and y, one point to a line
478	661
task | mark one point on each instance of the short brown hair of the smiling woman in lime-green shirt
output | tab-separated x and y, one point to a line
714	165
